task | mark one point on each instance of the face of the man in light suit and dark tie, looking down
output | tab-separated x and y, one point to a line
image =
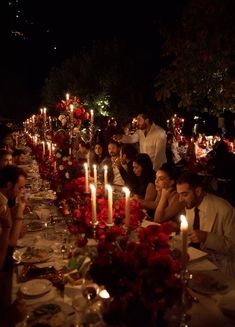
188	195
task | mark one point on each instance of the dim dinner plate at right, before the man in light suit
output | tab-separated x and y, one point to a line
208	282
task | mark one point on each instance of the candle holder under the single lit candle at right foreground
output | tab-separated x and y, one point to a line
186	301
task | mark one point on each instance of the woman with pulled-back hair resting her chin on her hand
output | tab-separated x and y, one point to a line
168	206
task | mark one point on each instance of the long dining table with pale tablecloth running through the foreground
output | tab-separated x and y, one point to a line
47	231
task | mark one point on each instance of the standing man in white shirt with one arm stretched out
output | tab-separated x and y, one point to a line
151	138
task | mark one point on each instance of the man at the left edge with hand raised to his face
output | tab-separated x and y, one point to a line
12	183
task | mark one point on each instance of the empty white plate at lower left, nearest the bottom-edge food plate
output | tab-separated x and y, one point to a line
36	287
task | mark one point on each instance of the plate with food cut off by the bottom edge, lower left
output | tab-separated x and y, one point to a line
54	314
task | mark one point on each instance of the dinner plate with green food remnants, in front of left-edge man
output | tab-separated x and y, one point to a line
32	254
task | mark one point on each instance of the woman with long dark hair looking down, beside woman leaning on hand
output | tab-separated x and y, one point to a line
143	169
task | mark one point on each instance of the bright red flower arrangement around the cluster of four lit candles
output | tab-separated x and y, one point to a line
76	206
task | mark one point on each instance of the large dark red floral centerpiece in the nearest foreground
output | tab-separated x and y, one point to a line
141	277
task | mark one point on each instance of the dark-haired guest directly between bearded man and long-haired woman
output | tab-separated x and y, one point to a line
127	153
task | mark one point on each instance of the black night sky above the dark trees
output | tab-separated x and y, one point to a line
40	34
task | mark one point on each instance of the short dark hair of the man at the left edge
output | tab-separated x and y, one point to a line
11	174
